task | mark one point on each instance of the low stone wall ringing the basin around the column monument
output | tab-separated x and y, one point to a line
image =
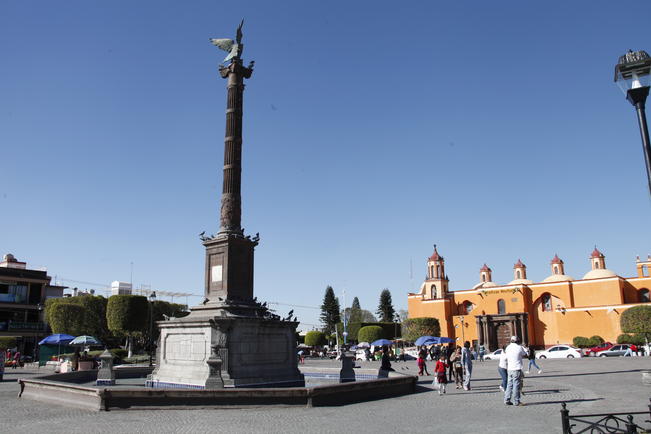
63	389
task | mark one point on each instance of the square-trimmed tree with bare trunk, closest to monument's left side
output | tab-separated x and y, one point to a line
127	315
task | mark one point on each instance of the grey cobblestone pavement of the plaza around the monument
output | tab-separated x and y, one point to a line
589	385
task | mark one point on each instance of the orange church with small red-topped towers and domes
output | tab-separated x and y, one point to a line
540	313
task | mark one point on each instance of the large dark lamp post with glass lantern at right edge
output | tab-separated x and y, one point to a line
632	74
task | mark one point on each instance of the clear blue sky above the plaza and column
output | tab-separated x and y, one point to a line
371	132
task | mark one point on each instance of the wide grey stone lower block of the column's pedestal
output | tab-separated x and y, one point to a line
254	351
